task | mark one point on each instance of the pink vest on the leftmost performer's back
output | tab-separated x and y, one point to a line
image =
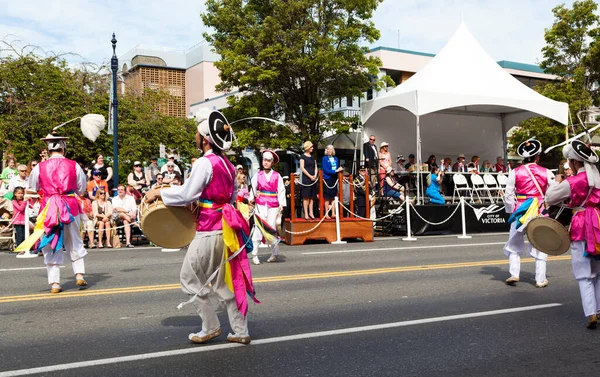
58	176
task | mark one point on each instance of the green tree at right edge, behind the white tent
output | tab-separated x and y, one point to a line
571	53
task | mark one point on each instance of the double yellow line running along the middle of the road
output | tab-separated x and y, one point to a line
271	279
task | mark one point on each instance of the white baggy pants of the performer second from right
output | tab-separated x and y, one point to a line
515	247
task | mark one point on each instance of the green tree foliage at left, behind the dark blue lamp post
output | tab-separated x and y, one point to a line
38	93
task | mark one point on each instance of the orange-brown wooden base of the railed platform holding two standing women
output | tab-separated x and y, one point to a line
349	228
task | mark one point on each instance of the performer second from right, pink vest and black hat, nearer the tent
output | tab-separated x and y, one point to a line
525	189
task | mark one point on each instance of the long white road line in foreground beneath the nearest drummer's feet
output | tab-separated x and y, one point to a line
200	349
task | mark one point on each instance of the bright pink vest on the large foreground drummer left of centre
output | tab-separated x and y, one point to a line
218	192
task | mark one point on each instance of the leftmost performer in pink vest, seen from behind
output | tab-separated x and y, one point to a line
60	180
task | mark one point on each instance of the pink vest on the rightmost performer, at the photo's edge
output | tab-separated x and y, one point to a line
579	191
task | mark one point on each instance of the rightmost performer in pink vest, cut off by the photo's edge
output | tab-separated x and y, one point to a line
582	193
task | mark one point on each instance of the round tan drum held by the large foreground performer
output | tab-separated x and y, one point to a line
169	227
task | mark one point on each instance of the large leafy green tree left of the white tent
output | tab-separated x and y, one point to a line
290	60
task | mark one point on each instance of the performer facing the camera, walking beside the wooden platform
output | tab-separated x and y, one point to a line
268	193
